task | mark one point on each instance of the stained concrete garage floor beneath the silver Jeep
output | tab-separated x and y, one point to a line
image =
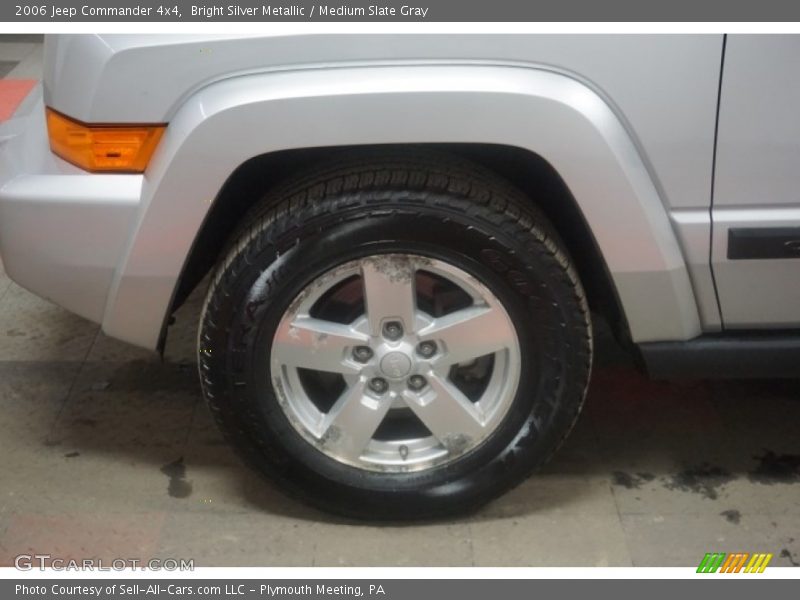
108	451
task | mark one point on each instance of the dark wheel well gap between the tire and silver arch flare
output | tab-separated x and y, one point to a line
528	171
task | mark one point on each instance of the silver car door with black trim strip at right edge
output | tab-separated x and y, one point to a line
756	204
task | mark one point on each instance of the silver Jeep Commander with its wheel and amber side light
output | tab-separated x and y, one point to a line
406	233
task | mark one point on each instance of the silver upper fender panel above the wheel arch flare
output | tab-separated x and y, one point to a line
663	87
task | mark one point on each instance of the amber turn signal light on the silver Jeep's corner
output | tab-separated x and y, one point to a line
103	148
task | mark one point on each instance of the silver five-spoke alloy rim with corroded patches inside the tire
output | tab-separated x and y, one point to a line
395	363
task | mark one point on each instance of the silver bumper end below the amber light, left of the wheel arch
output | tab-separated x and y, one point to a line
62	230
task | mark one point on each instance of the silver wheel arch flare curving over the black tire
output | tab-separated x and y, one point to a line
550	114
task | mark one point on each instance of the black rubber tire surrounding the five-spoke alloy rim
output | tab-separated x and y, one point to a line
364	204
